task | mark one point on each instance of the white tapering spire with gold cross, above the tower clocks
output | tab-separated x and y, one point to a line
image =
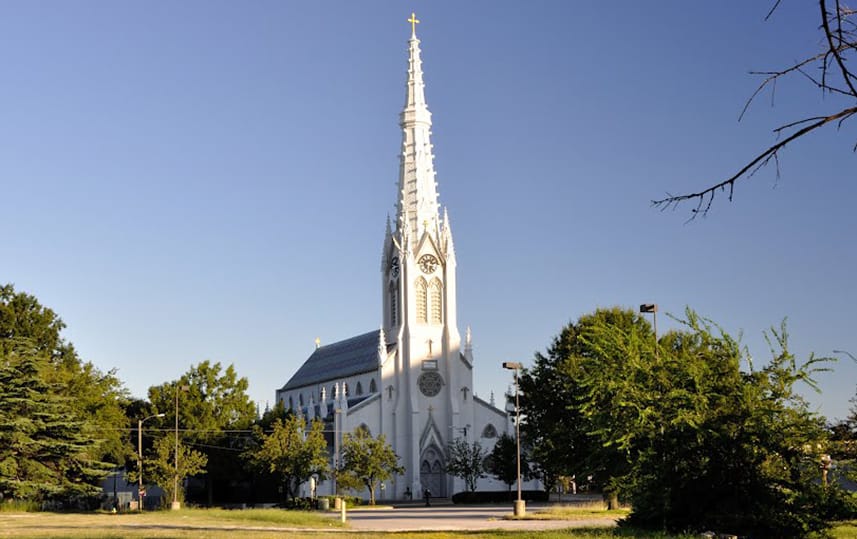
418	202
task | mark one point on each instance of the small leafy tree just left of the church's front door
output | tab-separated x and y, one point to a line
368	460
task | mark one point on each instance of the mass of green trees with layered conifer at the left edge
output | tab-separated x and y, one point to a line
62	419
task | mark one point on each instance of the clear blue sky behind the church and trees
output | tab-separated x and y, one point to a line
196	180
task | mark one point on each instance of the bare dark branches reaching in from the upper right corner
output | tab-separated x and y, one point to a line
829	69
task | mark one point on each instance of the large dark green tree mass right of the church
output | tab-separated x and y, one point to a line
680	431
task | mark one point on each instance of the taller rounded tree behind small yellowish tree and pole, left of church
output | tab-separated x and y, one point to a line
212	402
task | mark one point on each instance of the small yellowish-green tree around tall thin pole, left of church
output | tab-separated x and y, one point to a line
161	465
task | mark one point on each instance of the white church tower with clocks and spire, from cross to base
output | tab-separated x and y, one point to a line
432	376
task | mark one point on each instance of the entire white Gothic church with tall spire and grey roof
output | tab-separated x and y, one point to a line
412	379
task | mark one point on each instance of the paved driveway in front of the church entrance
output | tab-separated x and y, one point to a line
456	518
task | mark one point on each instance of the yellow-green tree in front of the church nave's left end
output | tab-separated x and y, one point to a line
291	453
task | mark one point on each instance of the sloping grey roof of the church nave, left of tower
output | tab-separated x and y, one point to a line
338	360
